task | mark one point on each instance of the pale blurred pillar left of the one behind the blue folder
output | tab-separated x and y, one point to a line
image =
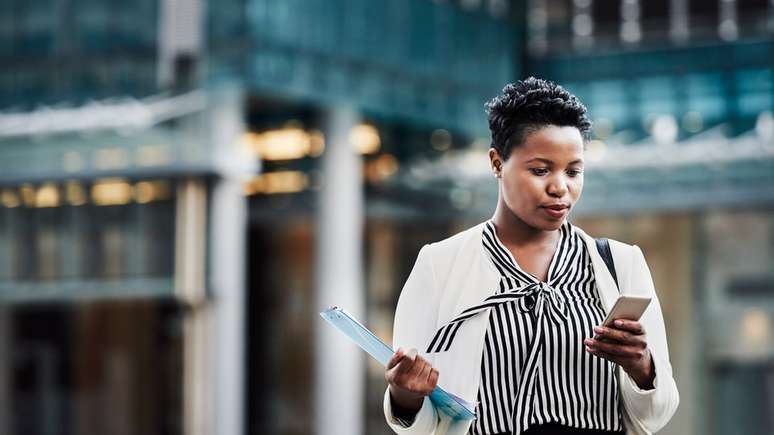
227	255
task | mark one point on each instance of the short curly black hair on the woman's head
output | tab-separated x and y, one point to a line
529	105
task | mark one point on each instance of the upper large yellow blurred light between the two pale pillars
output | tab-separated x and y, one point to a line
285	144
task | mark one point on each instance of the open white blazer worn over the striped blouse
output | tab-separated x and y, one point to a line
454	274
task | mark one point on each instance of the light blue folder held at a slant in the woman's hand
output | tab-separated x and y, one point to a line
455	407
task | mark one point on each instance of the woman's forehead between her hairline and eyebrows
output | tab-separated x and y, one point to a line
551	142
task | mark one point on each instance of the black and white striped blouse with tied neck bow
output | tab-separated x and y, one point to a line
534	369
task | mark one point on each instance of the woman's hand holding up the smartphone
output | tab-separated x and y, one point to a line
624	343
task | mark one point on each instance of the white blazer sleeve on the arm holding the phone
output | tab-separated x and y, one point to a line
650	409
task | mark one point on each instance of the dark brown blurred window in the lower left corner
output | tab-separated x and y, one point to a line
72	363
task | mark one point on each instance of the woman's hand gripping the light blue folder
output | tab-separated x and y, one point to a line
411	378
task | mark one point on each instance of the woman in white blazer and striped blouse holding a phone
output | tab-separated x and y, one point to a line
506	314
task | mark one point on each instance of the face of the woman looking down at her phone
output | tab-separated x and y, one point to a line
543	177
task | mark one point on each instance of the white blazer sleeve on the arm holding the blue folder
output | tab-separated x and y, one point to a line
415	323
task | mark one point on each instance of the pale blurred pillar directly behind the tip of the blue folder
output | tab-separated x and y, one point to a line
339	365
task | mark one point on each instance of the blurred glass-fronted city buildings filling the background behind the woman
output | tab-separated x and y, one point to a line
185	184
